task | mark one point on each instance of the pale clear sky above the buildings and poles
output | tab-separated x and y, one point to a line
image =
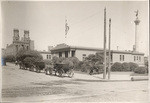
46	23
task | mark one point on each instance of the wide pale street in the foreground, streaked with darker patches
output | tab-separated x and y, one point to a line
24	85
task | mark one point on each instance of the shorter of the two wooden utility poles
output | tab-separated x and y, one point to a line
109	58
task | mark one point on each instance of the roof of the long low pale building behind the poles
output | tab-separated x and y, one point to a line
65	46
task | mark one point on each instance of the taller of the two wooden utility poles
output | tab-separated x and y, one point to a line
104	74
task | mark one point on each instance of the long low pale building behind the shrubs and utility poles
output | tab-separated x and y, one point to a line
63	50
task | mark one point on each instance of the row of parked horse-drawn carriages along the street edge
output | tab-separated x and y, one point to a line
57	69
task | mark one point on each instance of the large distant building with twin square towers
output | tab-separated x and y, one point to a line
25	43
